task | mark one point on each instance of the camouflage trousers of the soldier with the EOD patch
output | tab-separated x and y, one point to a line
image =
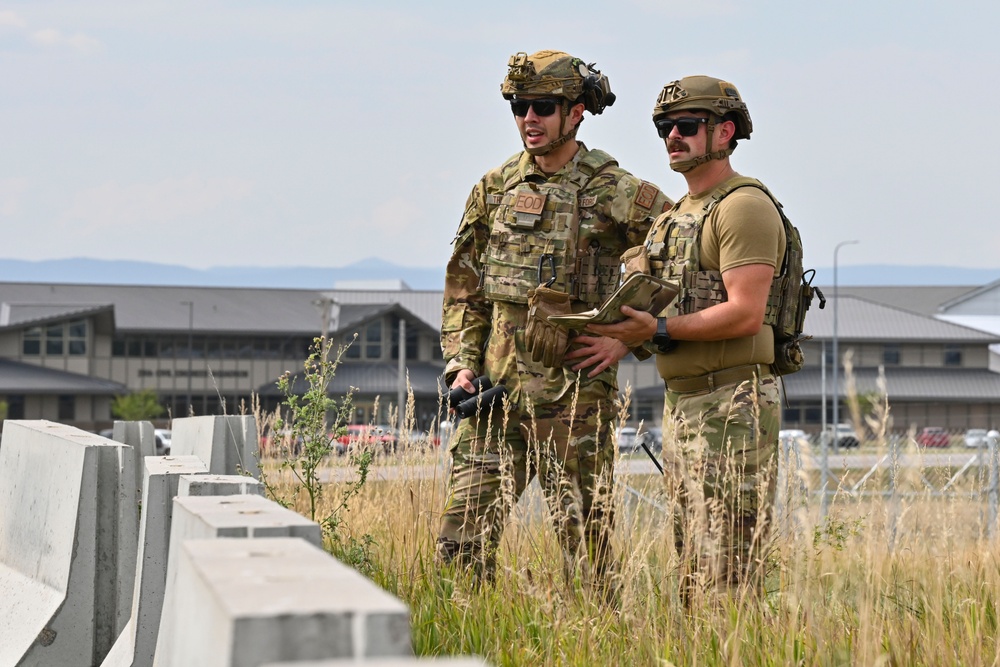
569	447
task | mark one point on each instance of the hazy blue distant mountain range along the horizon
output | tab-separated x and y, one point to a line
378	272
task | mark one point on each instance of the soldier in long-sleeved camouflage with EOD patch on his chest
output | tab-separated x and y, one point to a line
541	235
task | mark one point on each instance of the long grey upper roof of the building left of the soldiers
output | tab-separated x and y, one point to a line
140	309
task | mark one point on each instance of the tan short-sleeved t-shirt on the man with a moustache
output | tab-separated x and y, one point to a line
745	228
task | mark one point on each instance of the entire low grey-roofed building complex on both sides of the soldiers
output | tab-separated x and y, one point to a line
67	350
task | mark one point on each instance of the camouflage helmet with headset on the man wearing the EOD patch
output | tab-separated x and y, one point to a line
557	74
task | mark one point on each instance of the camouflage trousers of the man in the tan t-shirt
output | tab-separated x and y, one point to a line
721	468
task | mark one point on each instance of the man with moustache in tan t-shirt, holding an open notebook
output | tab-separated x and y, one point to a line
723	242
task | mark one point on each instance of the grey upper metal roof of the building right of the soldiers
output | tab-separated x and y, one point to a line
863	320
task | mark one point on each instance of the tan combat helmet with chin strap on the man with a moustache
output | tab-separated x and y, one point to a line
704	93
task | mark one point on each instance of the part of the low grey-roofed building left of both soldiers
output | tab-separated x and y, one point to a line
67	350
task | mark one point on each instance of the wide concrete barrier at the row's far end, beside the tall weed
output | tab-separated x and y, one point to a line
227	444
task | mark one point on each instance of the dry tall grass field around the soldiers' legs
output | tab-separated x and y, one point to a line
882	580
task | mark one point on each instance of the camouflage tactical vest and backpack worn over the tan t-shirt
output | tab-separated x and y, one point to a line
674	246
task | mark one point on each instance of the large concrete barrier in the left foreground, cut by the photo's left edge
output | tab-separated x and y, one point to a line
67	543
